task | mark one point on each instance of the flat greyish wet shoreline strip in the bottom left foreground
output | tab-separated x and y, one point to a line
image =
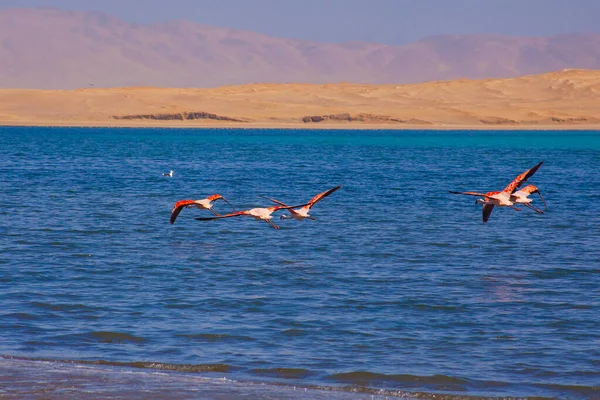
61	380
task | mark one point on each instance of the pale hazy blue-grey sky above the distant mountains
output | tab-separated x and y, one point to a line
384	21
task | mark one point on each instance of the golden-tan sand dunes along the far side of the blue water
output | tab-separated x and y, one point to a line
563	99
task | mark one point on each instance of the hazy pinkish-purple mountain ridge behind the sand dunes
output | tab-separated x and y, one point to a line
54	49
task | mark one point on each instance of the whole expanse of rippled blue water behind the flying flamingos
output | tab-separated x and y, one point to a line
397	289
